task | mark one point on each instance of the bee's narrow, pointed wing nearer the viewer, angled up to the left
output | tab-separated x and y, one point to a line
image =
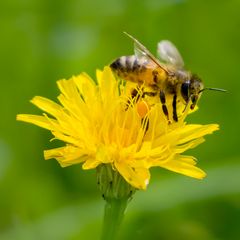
142	52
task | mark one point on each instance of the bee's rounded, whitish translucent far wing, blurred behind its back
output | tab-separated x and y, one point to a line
168	53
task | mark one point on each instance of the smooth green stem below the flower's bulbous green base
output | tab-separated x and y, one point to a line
113	216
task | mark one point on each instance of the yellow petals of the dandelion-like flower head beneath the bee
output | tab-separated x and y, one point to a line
97	128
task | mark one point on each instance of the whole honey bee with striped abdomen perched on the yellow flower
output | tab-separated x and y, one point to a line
165	77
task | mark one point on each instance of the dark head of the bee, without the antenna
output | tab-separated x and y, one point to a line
191	90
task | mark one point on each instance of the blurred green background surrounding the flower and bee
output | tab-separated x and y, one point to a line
42	41
